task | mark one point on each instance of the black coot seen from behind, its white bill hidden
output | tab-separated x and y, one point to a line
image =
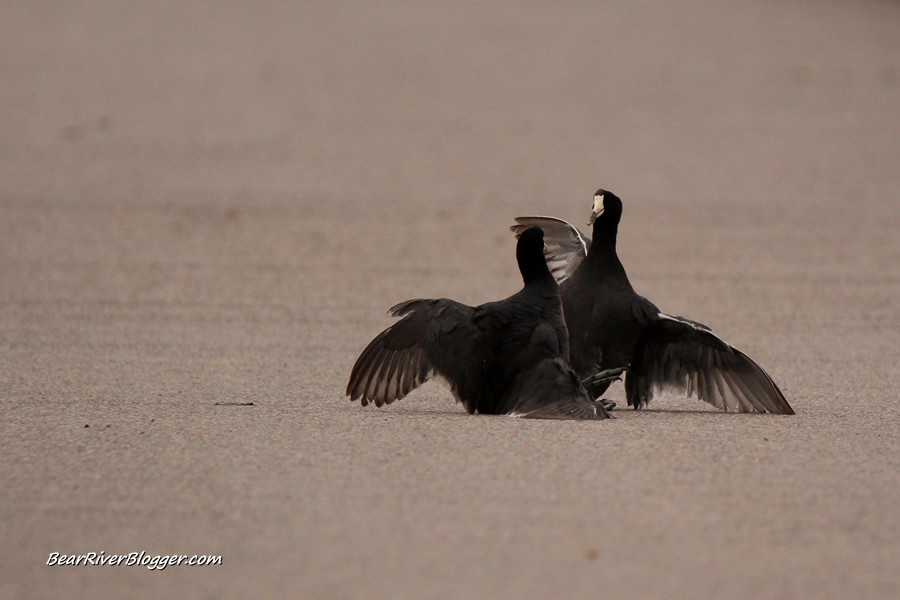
507	357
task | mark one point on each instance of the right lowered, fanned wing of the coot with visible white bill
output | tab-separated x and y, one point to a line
681	355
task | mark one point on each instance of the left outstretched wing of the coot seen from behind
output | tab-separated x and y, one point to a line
434	336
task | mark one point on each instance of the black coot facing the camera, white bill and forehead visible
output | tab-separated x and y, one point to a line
612	326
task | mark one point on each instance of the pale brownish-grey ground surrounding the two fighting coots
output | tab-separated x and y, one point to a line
215	203
